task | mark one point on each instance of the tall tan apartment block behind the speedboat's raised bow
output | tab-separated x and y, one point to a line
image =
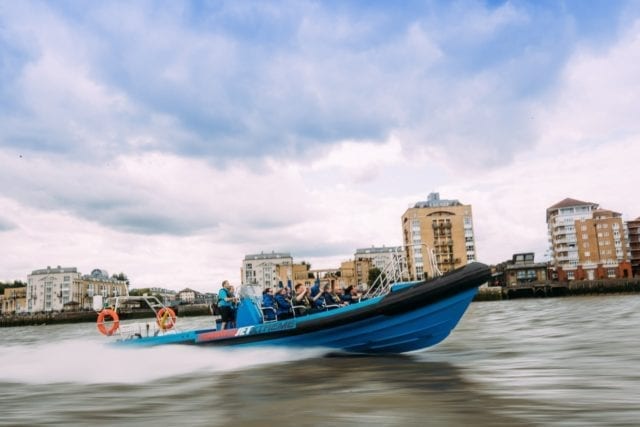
438	235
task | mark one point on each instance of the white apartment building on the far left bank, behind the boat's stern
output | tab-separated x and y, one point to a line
49	289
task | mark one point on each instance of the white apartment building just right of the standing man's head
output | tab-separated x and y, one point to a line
263	268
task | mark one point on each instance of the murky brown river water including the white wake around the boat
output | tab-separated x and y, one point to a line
552	362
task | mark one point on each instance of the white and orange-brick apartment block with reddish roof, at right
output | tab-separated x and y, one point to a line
587	242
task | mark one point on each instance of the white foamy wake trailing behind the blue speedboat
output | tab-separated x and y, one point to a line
95	362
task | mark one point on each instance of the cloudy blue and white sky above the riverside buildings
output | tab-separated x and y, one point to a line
169	139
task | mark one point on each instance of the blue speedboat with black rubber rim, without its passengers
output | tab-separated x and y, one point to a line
410	316
